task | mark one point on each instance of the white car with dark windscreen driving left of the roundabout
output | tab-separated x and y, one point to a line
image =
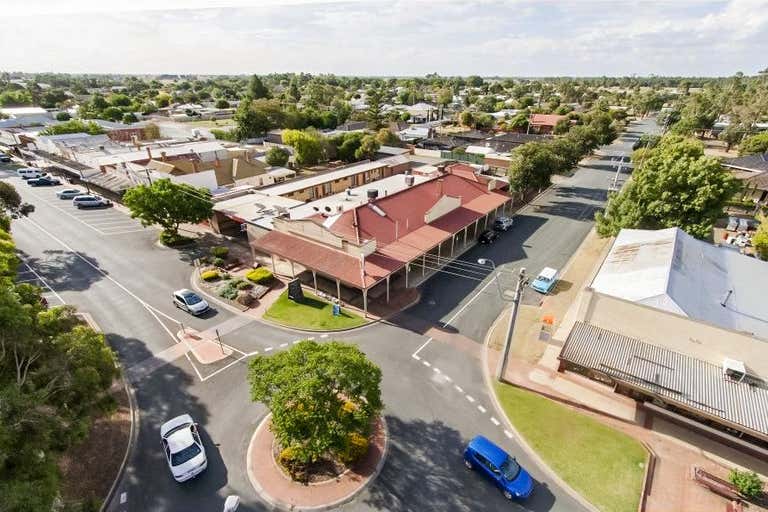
183	448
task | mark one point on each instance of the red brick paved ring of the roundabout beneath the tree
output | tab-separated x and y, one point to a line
272	483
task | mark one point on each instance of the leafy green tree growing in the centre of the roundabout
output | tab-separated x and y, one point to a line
324	399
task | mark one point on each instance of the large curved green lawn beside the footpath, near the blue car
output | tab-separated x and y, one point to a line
604	465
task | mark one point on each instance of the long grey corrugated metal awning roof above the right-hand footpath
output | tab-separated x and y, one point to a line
690	382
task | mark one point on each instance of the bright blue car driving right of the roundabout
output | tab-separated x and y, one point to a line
499	467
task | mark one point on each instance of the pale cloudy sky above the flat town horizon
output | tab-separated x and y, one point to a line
386	38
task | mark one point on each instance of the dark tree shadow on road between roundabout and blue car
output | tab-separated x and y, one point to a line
442	483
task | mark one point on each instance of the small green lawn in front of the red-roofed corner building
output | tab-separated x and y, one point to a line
314	314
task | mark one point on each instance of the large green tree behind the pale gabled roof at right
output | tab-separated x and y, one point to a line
676	186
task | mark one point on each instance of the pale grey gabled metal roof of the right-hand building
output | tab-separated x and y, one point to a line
672	271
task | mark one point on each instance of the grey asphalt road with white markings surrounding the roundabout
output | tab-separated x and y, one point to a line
124	280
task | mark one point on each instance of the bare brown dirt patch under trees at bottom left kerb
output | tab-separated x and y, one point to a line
88	469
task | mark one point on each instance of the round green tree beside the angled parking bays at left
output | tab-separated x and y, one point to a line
168	205
